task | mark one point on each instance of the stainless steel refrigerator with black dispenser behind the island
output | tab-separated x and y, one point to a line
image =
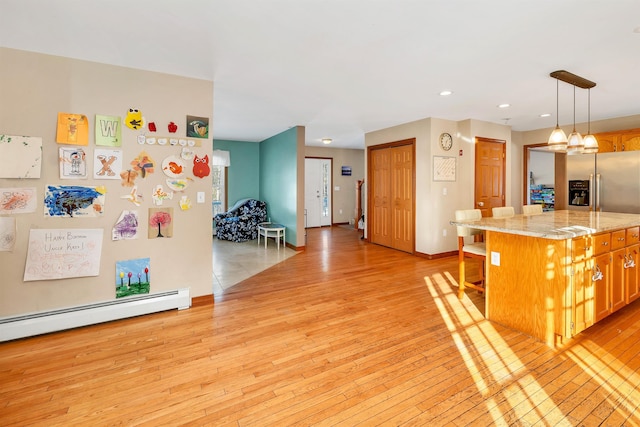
613	181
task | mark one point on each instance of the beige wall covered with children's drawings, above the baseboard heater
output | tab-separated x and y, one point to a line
33	89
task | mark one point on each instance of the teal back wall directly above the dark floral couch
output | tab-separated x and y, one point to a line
244	173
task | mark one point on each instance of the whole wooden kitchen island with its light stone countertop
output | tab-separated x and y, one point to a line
554	274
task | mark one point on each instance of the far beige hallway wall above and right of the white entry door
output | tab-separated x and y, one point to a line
344	199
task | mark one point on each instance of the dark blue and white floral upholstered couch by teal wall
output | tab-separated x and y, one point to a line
240	223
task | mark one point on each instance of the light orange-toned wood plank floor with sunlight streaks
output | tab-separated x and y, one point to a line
346	333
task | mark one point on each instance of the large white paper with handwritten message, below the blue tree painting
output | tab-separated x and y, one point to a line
63	253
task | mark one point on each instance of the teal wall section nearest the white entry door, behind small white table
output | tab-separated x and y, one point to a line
278	179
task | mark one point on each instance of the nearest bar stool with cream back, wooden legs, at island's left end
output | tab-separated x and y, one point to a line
475	250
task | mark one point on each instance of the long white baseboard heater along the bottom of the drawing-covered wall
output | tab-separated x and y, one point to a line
66	318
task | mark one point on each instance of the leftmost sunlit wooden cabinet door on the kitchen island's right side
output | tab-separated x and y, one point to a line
583	298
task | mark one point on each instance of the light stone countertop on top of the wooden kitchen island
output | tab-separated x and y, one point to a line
556	225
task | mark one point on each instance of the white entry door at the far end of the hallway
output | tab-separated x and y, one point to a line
317	192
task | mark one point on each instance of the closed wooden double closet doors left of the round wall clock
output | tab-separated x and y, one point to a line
391	194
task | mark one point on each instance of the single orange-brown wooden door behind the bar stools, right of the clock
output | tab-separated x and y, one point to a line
489	174
